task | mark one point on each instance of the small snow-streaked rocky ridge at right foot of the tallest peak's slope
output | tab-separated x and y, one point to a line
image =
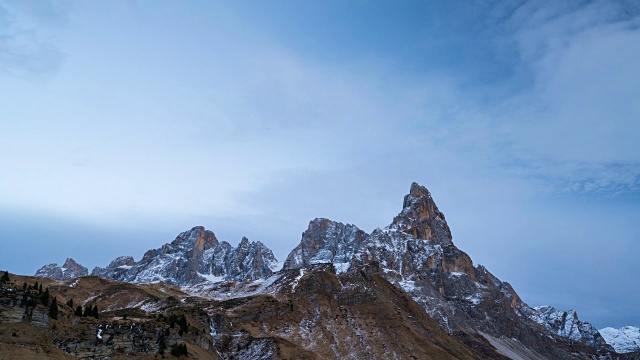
567	324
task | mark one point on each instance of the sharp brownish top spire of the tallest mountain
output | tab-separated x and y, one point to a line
421	218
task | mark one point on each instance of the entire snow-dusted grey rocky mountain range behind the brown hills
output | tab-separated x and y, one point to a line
415	253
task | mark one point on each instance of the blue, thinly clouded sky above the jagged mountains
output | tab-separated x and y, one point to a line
124	123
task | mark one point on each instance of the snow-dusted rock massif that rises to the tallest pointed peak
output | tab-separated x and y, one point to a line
416	252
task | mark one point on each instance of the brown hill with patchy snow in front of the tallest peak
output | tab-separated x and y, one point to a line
314	313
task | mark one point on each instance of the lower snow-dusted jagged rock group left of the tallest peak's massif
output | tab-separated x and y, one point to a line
194	256
